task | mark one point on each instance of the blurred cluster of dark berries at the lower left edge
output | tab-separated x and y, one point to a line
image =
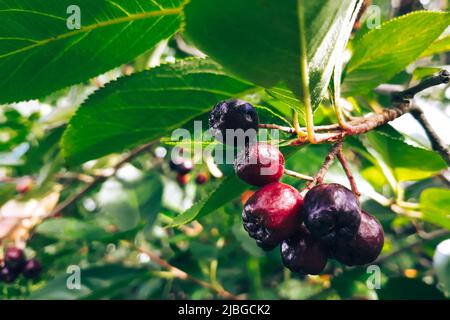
15	263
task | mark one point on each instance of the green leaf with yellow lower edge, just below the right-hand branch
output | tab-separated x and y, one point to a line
407	162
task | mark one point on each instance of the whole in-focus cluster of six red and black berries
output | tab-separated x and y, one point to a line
327	223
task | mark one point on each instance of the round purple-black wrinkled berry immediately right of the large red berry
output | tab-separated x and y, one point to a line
332	213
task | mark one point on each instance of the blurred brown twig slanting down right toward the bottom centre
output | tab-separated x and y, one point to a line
182	275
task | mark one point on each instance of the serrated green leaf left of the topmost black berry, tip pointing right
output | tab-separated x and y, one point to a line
146	106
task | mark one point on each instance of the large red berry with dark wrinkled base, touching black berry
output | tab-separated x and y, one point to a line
272	214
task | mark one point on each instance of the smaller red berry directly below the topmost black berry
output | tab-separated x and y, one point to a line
259	164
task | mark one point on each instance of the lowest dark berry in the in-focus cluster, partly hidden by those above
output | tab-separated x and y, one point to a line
303	253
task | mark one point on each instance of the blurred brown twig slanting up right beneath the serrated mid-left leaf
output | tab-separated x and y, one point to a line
99	179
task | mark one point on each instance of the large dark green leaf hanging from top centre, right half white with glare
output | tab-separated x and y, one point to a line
260	40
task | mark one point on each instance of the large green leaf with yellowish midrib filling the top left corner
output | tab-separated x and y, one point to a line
40	54
